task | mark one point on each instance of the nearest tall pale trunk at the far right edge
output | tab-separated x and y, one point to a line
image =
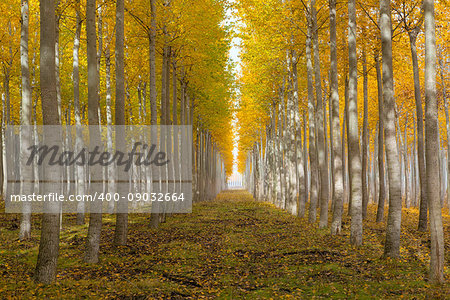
432	147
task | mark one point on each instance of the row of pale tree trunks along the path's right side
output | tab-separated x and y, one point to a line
365	178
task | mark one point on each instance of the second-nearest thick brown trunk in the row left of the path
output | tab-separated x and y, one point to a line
95	217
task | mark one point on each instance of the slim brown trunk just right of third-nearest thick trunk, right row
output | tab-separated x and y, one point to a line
365	184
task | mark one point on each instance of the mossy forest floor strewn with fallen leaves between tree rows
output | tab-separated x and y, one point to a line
230	248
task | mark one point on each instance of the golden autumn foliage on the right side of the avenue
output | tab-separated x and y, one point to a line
270	27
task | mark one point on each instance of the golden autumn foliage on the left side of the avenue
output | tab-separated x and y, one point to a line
196	33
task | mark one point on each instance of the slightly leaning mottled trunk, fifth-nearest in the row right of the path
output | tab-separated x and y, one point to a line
322	162
